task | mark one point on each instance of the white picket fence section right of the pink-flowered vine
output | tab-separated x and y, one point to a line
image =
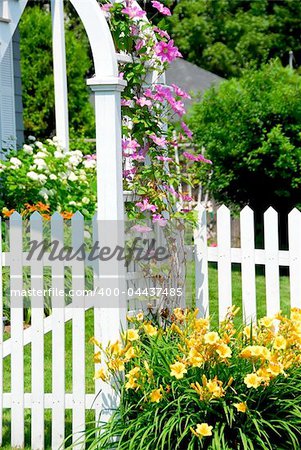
248	257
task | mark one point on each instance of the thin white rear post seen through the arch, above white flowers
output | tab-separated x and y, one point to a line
60	73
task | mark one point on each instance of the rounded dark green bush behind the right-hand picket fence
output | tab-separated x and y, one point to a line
250	128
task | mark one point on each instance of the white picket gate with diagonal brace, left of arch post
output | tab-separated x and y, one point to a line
37	400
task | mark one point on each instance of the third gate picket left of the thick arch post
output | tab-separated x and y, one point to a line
37	346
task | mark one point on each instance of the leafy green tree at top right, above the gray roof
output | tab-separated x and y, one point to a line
225	36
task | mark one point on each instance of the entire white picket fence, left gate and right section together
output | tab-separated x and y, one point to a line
79	401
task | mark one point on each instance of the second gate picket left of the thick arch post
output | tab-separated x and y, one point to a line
58	338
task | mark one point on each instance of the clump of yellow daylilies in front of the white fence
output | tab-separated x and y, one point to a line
185	386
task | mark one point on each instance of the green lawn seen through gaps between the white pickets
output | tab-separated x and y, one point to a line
213	293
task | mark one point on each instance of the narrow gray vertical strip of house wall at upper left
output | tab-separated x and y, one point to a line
18	89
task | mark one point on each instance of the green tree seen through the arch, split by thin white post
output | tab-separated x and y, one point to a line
37	75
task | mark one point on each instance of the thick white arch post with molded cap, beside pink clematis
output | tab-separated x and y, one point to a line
110	309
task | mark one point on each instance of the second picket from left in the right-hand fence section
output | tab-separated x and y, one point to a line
224	260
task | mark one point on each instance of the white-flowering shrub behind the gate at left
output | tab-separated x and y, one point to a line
46	173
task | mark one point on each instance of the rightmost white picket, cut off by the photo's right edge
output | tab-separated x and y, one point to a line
294	228
